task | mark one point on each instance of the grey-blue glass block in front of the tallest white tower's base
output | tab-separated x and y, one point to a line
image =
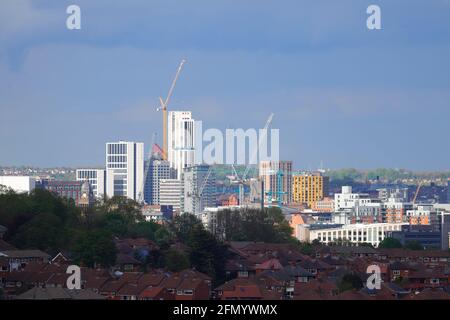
194	199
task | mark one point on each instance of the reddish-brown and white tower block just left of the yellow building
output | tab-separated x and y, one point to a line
270	172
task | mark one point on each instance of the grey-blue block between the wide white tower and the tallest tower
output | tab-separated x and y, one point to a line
158	169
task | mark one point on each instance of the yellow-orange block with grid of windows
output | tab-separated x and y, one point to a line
309	187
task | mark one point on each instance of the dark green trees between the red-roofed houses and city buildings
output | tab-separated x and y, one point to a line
44	221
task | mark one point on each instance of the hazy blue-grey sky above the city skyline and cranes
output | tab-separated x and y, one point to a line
341	94
